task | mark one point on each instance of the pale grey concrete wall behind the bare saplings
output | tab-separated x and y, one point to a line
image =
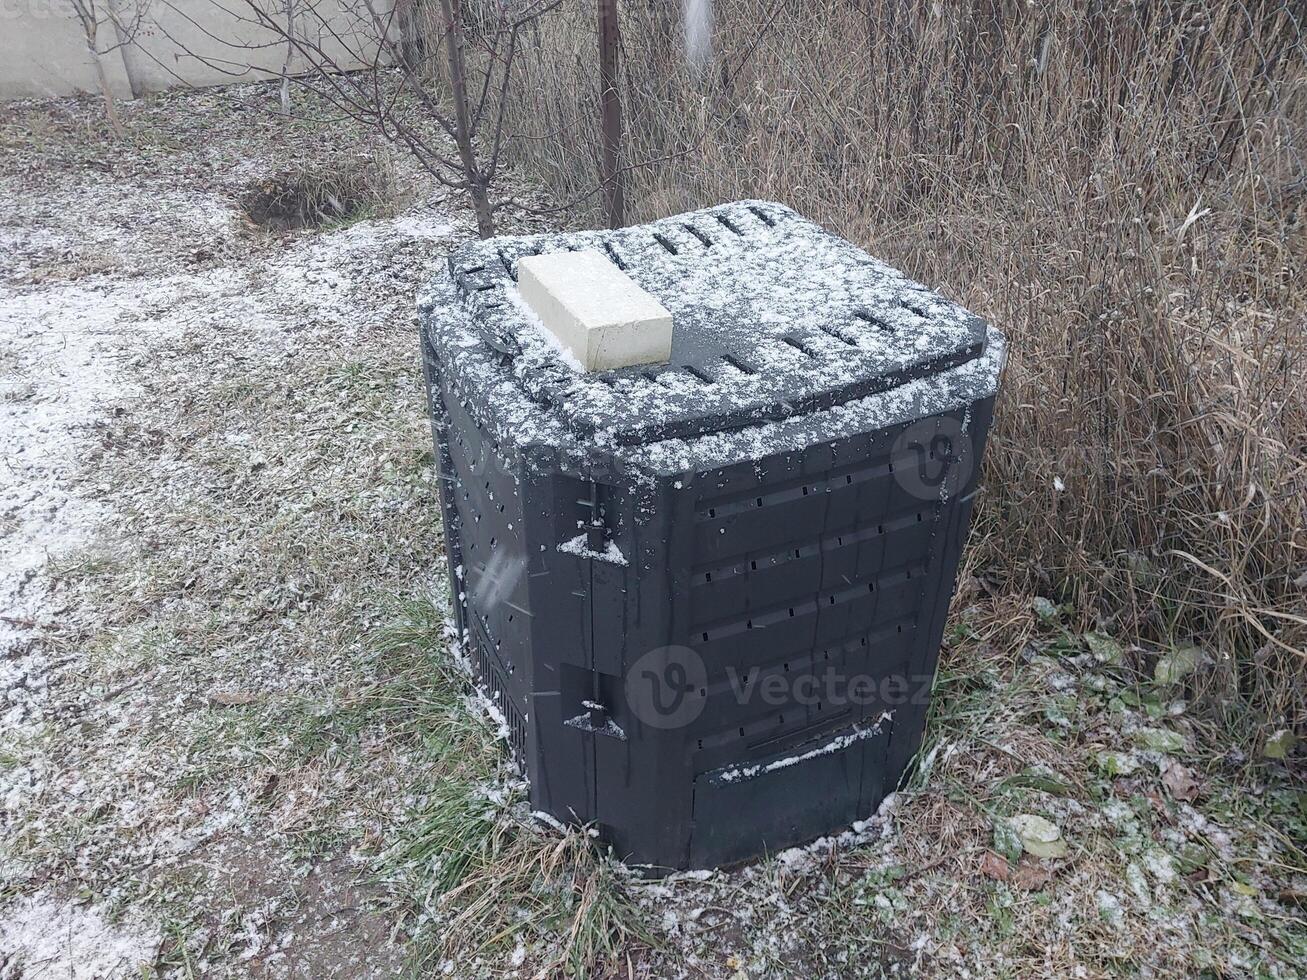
154	45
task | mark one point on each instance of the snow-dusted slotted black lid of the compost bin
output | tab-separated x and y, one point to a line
773	318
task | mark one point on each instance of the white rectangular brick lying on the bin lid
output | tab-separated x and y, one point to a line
595	310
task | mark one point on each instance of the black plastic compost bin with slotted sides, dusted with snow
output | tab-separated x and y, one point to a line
708	596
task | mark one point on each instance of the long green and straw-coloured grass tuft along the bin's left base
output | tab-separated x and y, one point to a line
486	877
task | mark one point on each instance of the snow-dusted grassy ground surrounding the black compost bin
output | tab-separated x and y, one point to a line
235	740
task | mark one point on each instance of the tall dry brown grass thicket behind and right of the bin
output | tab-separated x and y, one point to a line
1119	186
